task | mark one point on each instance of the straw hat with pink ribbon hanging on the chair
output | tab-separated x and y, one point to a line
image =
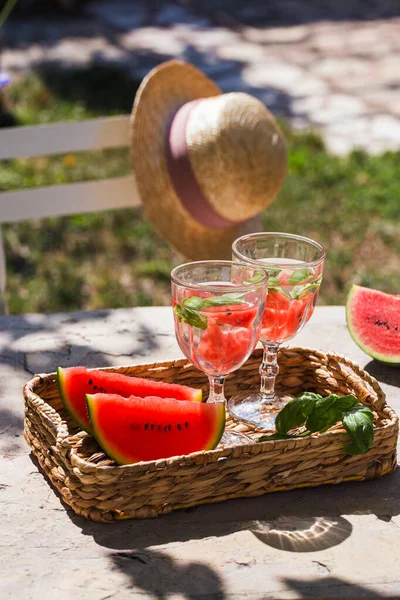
206	163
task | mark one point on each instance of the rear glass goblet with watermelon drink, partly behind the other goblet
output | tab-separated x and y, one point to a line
295	266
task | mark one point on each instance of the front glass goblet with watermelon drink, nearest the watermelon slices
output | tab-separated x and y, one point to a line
218	307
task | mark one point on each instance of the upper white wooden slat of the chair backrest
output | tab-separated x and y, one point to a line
59	138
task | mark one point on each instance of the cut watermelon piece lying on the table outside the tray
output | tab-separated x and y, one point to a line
373	320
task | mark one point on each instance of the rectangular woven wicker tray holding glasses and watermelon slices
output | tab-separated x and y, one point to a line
95	487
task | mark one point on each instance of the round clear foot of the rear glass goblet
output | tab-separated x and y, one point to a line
256	409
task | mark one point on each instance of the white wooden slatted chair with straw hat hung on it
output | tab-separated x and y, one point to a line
63	199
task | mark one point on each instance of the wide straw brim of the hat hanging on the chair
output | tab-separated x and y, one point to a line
165	89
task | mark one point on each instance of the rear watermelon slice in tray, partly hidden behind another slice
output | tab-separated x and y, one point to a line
75	382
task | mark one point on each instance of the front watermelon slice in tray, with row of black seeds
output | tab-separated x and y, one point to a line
140	429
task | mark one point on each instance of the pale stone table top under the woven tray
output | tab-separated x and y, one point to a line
332	541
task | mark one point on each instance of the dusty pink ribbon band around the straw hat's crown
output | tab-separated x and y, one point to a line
182	176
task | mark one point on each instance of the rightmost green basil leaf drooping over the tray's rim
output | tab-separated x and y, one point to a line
358	421
